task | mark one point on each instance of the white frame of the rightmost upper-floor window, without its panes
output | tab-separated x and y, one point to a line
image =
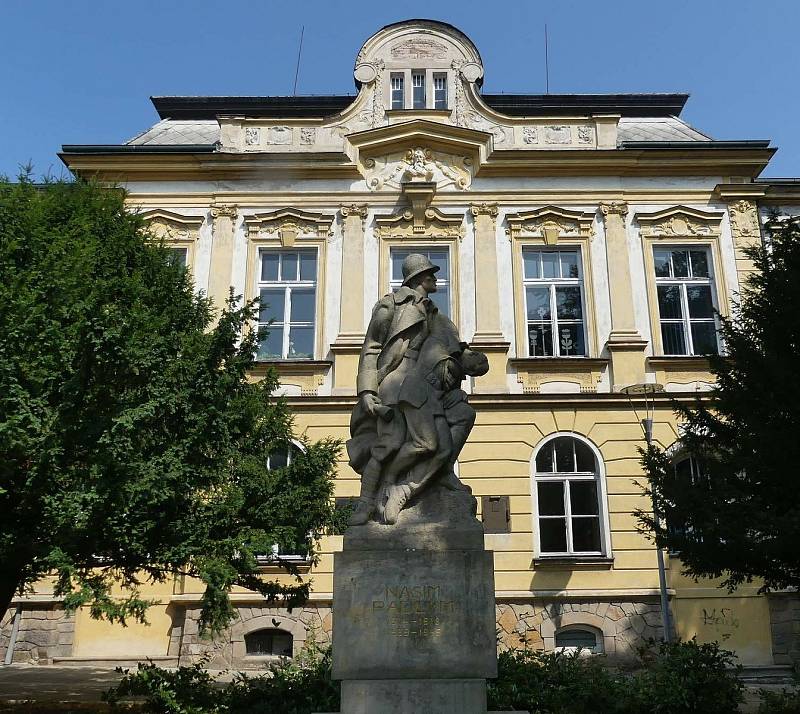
683	283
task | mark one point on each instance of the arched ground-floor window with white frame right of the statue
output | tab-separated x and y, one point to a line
568	498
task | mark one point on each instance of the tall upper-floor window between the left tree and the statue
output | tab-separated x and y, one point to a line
287	288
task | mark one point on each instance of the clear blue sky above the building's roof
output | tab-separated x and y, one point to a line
82	71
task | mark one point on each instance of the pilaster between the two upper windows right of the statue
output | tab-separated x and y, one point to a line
625	345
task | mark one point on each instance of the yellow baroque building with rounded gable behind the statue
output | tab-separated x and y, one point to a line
584	243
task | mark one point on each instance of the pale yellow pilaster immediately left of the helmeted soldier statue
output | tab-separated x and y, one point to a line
347	346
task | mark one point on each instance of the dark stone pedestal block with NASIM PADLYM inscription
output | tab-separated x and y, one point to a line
424	614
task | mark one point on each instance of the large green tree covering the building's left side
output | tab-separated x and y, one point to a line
133	446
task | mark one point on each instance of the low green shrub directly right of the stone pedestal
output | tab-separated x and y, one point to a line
555	683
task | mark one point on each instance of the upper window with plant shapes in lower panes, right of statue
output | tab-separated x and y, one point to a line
553	284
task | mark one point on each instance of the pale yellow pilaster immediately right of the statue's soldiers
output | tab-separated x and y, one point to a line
488	337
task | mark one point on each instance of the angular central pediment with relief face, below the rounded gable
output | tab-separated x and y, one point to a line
419	150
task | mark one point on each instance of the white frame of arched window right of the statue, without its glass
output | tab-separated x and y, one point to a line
602	497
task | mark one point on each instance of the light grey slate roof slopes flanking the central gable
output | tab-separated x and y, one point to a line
177	132
